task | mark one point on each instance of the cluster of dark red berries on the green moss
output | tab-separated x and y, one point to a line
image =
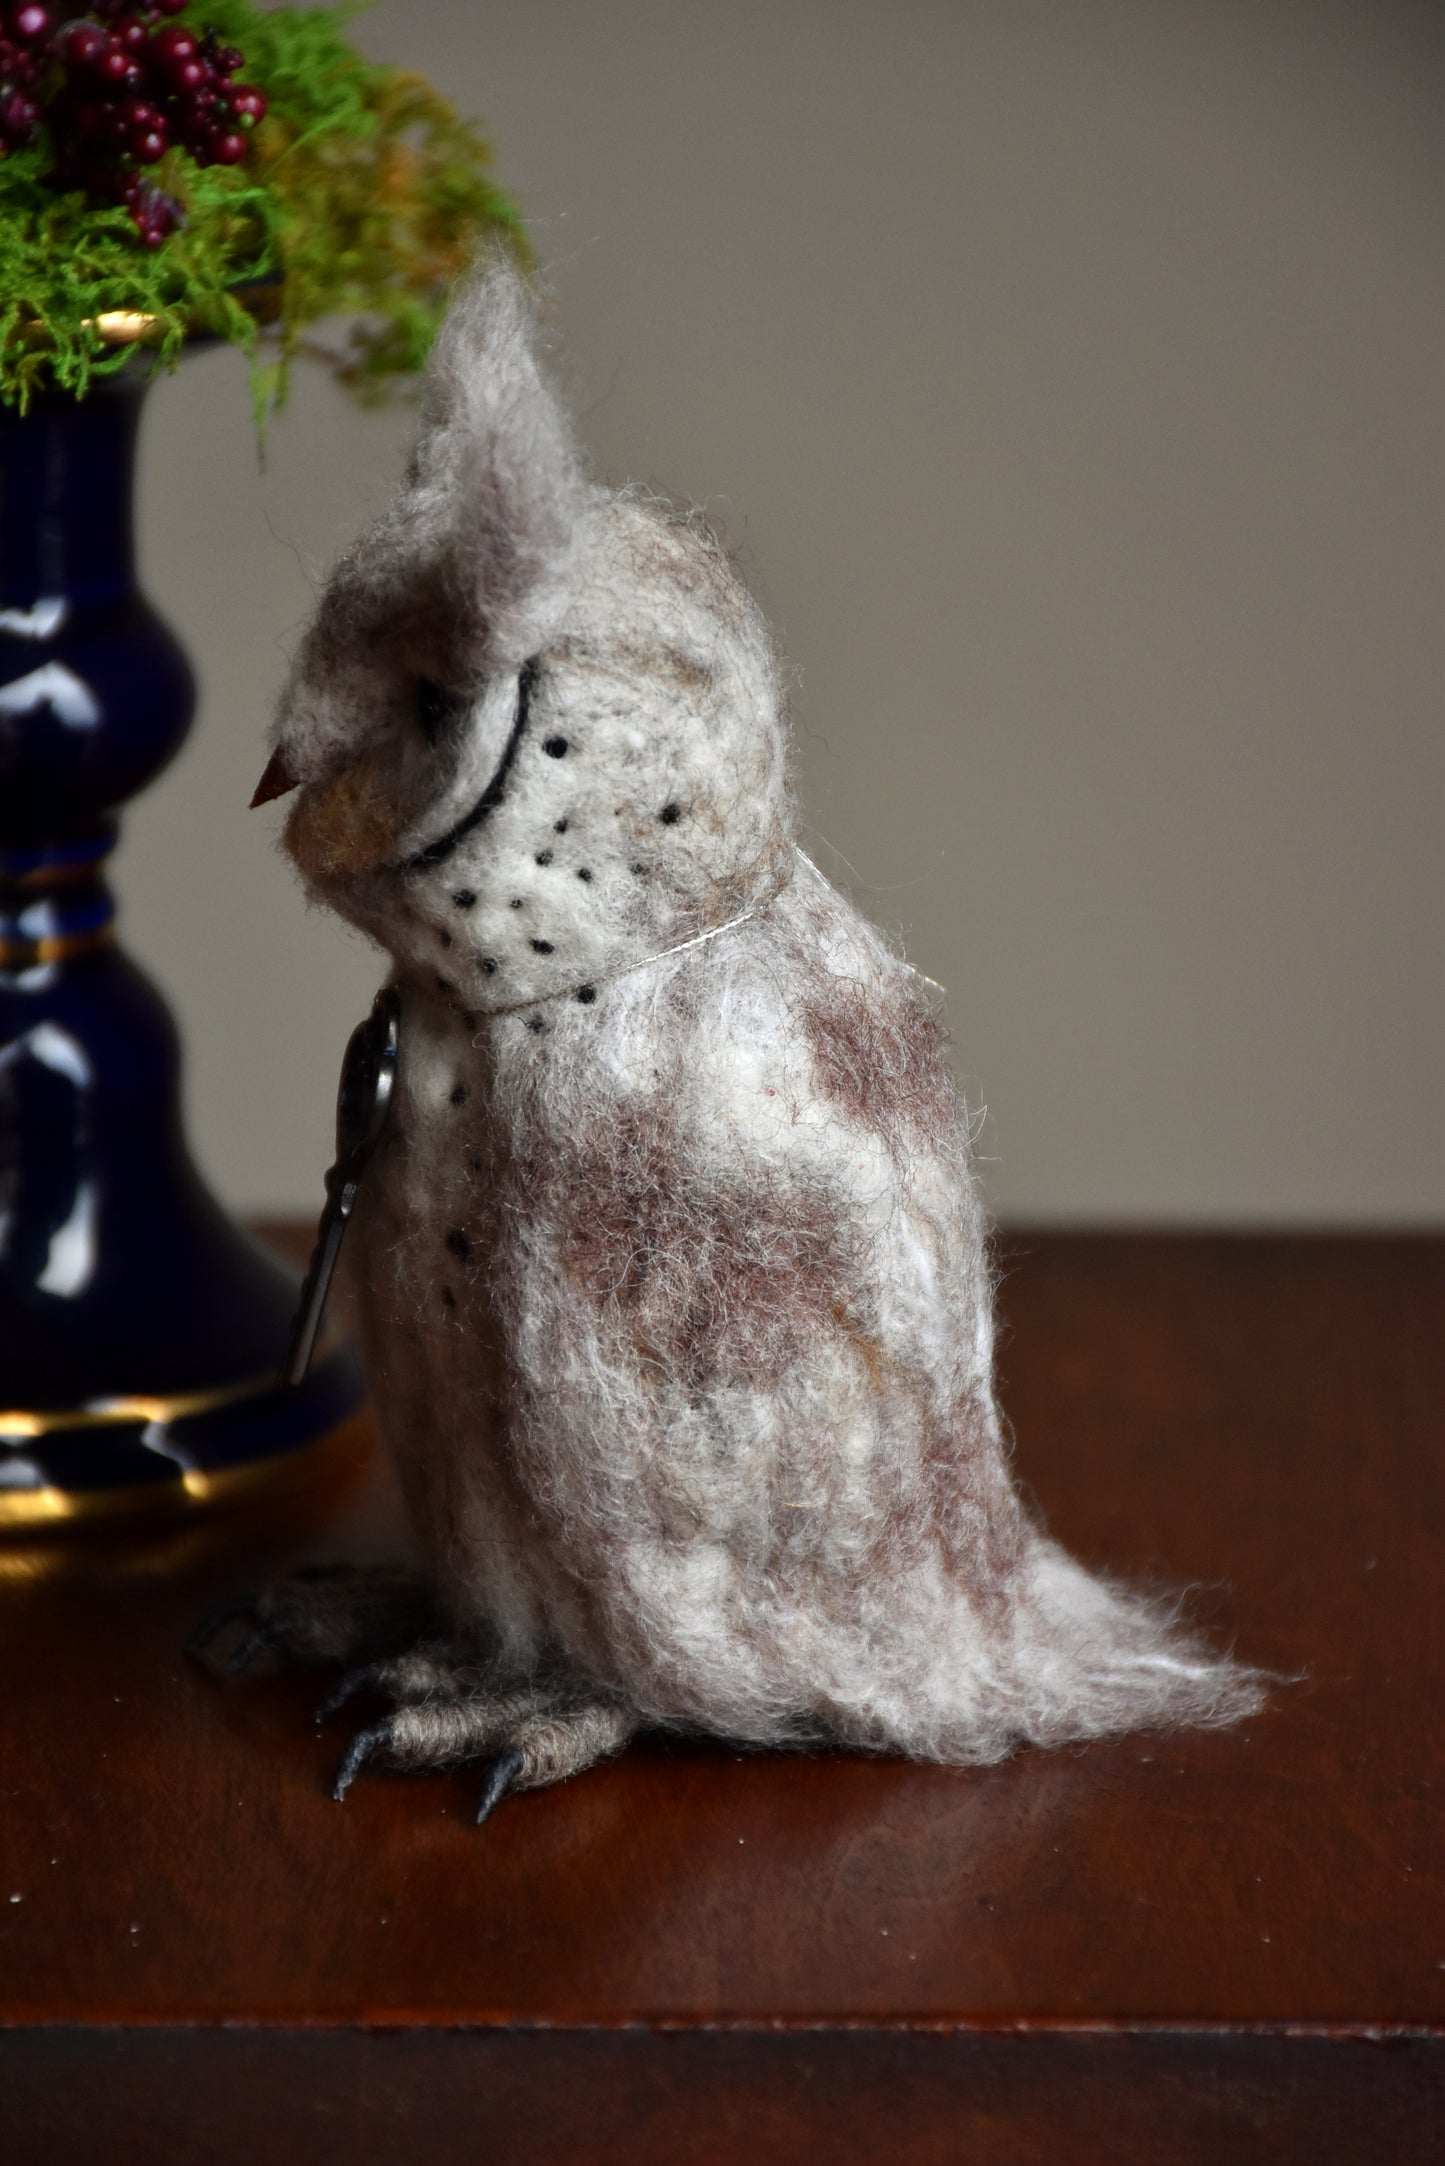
120	90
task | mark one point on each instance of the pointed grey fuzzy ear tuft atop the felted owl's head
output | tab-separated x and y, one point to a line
497	475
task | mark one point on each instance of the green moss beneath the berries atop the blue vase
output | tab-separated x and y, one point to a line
363	196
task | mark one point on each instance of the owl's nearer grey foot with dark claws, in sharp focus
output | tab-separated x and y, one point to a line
532	1736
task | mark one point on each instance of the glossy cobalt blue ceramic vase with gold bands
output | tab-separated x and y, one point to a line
140	1331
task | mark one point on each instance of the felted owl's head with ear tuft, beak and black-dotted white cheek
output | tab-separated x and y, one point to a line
534	722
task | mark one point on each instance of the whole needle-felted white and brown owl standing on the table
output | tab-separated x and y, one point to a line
673	1266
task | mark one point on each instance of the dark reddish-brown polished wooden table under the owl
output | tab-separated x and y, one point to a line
1167	1948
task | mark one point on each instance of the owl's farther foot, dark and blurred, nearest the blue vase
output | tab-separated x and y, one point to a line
330	1613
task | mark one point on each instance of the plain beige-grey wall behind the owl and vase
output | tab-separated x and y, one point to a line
1067	378
